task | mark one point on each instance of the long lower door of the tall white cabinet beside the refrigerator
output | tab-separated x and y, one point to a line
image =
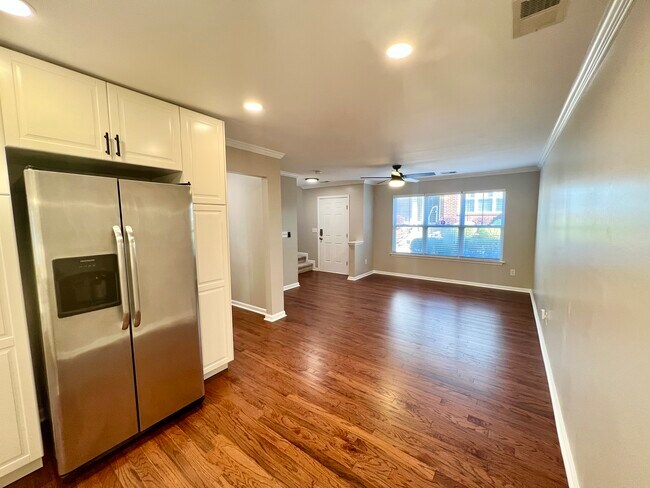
213	272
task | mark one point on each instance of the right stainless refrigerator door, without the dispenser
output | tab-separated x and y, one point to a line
157	222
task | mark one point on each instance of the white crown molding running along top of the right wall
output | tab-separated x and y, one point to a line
606	32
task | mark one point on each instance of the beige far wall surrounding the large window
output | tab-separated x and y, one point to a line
519	235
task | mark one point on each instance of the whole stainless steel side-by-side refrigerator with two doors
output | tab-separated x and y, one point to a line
117	295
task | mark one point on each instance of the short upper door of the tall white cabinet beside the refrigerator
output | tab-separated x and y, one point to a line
204	157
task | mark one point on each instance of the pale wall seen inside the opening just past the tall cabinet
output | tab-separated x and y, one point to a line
247	243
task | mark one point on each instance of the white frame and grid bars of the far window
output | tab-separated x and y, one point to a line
461	226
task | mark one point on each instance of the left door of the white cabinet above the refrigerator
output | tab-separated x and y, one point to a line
49	108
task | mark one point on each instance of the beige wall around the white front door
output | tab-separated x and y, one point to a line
308	218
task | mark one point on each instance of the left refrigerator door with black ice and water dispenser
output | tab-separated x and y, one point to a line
87	350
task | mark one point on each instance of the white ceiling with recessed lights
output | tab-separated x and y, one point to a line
469	99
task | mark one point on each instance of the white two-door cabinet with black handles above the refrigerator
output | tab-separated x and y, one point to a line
49	108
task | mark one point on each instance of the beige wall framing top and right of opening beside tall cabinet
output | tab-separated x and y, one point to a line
252	164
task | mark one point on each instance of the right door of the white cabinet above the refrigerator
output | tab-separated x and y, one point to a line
148	129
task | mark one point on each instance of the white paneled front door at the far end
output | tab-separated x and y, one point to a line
333	234
